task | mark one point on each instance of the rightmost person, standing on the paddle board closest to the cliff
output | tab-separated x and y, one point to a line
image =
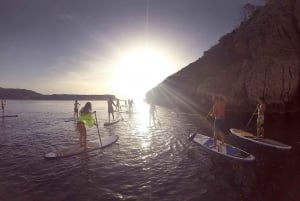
261	108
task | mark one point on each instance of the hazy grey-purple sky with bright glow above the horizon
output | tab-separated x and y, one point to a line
120	47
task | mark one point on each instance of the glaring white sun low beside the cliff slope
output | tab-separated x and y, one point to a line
140	69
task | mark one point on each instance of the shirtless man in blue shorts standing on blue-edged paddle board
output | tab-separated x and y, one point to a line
218	112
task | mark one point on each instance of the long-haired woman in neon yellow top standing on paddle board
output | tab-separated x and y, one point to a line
85	118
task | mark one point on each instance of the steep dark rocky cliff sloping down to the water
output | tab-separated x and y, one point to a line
261	58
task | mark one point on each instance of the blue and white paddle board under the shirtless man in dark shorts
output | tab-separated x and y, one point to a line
226	150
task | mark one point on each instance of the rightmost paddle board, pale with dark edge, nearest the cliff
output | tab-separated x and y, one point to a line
262	141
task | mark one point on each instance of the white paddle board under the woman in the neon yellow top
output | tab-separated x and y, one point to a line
76	149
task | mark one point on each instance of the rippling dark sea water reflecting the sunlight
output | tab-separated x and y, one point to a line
146	163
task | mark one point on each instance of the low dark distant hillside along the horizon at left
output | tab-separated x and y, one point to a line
24	94
